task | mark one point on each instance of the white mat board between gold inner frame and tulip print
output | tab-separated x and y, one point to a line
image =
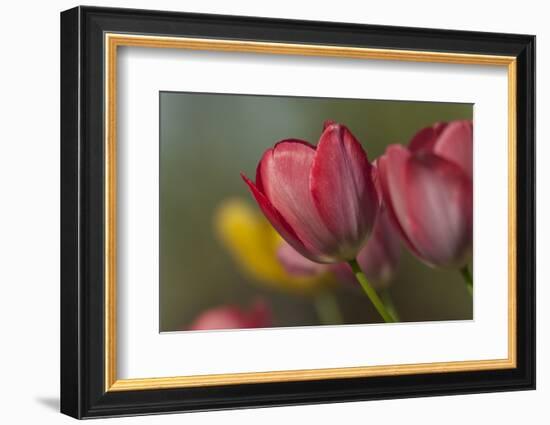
145	72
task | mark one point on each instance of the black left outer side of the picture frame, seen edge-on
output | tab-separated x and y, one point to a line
71	350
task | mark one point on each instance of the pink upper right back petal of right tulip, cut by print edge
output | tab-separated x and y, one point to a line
455	143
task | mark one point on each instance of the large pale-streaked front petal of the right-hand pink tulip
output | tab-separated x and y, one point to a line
439	210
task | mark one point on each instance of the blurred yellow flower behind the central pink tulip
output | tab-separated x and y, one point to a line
253	244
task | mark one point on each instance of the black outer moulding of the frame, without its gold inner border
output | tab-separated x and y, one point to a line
82	218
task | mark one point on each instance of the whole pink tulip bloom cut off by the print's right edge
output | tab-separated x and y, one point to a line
427	189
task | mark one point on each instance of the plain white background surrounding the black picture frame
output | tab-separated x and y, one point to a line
29	225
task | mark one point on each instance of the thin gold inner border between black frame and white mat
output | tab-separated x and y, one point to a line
113	41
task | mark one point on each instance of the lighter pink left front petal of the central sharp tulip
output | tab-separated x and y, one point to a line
284	177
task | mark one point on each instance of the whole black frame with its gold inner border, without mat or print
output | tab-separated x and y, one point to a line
90	37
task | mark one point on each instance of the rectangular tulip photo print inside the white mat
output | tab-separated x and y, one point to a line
298	211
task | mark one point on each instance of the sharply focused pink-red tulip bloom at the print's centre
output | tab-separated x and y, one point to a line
321	200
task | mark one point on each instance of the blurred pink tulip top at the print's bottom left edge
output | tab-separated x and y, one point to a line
233	317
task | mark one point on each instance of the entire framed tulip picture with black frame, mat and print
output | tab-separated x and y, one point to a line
261	212
